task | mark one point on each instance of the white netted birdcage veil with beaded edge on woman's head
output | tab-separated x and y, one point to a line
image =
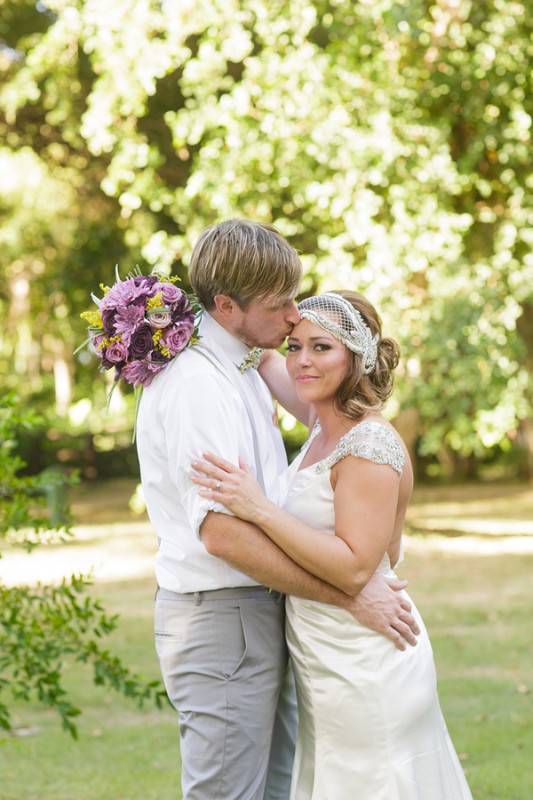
338	317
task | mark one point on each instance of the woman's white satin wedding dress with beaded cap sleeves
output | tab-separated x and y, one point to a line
371	727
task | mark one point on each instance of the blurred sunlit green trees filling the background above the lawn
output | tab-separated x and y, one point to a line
389	141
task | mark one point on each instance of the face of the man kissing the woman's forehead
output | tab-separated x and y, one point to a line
267	322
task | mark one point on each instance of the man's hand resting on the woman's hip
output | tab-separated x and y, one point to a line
381	607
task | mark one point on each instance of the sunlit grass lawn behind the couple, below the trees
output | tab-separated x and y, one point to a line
476	602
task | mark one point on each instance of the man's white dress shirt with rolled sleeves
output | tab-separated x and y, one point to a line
189	408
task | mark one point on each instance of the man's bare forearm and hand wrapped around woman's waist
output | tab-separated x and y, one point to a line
379	605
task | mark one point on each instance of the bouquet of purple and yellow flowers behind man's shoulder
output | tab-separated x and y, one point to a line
140	325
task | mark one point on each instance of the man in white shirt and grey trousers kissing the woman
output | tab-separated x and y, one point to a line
219	629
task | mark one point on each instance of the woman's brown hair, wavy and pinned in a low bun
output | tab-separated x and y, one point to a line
360	393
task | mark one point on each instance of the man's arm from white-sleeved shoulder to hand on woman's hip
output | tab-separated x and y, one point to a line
195	416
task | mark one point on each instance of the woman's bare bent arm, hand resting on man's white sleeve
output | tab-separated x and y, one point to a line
364	519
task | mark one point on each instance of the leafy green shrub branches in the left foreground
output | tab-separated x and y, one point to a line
42	627
